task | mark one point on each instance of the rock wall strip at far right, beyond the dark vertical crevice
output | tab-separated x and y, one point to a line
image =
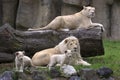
115	21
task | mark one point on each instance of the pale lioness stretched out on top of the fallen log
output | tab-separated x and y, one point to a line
78	20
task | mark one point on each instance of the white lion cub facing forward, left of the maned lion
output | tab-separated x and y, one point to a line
22	61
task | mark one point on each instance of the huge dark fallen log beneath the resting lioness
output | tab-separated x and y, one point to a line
12	40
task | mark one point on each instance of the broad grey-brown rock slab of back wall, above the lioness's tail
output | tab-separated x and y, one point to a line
36	13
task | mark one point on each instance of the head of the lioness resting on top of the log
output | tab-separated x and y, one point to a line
89	11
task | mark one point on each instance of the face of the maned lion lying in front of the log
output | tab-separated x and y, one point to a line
72	44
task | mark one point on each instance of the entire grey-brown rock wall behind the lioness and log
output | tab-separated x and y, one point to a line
22	14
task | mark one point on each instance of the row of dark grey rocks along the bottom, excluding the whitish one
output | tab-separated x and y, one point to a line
44	74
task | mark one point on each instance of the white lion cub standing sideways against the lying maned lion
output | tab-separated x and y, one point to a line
60	59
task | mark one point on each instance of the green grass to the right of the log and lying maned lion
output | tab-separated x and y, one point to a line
111	58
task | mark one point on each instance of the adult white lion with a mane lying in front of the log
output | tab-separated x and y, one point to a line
70	43
